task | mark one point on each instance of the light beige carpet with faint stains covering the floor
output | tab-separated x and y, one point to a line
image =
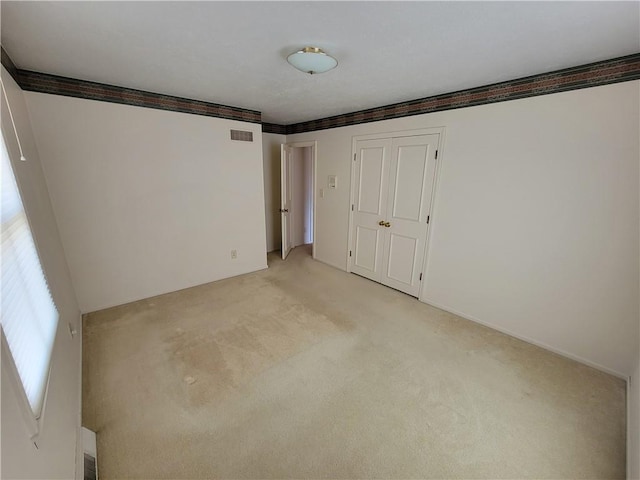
304	371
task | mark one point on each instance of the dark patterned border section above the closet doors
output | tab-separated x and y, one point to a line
600	73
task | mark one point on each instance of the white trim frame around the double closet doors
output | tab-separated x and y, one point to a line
434	203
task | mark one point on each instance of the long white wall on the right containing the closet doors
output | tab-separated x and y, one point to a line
535	224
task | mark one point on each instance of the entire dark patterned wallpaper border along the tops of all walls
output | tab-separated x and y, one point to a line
605	72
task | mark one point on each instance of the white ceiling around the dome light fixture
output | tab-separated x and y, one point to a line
234	53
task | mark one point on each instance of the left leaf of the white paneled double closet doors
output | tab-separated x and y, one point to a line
369	207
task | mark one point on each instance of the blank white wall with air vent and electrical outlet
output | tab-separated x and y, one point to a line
149	201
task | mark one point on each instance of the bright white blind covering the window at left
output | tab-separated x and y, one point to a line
29	316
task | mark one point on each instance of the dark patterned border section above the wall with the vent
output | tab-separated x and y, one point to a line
70	87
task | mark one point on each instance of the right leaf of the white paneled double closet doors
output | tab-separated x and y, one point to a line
410	192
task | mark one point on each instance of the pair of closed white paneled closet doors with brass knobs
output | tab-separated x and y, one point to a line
393	190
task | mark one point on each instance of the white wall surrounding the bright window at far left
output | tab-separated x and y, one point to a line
57	452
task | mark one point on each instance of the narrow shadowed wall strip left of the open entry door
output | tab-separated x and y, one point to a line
271	163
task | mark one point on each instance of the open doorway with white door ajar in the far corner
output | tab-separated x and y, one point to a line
297	196
